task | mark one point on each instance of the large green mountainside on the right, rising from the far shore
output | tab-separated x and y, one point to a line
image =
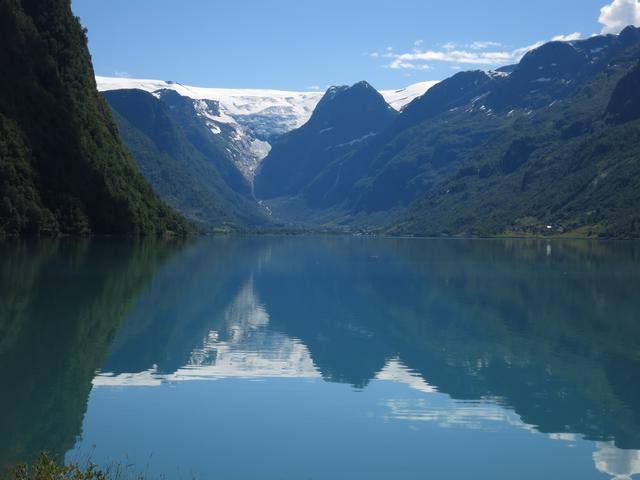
558	156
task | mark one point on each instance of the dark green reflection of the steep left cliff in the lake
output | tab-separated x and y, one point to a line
61	303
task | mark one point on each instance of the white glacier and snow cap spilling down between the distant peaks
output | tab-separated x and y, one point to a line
255	116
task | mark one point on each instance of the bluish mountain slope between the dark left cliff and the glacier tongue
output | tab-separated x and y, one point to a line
184	157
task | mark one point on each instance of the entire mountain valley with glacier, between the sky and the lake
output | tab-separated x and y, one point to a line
546	146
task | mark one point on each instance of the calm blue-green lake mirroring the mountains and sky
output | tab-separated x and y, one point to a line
324	358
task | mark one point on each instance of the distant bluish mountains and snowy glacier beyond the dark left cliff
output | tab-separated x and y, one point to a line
473	155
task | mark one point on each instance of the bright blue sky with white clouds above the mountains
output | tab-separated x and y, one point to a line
300	45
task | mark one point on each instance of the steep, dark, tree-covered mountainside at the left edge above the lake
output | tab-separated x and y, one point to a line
63	168
